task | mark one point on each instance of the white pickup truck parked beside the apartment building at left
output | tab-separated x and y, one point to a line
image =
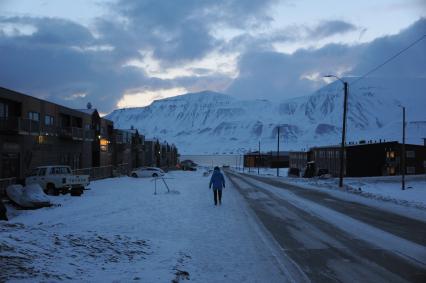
58	179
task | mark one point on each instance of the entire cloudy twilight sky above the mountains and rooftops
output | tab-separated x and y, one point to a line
124	53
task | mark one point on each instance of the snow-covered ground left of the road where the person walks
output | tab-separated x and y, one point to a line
120	231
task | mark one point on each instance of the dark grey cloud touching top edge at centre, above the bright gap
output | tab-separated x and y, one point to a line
179	31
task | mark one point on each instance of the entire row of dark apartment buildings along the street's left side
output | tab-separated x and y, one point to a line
35	132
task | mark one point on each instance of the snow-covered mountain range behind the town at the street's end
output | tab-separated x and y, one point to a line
210	123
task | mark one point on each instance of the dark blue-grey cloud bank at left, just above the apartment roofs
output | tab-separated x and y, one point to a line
53	63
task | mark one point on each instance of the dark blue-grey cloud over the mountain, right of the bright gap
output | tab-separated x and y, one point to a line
275	76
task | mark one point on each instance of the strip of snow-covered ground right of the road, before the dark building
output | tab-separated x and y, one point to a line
382	188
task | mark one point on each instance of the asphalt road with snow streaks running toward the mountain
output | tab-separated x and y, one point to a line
326	251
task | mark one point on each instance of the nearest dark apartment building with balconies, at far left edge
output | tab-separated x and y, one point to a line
34	132
